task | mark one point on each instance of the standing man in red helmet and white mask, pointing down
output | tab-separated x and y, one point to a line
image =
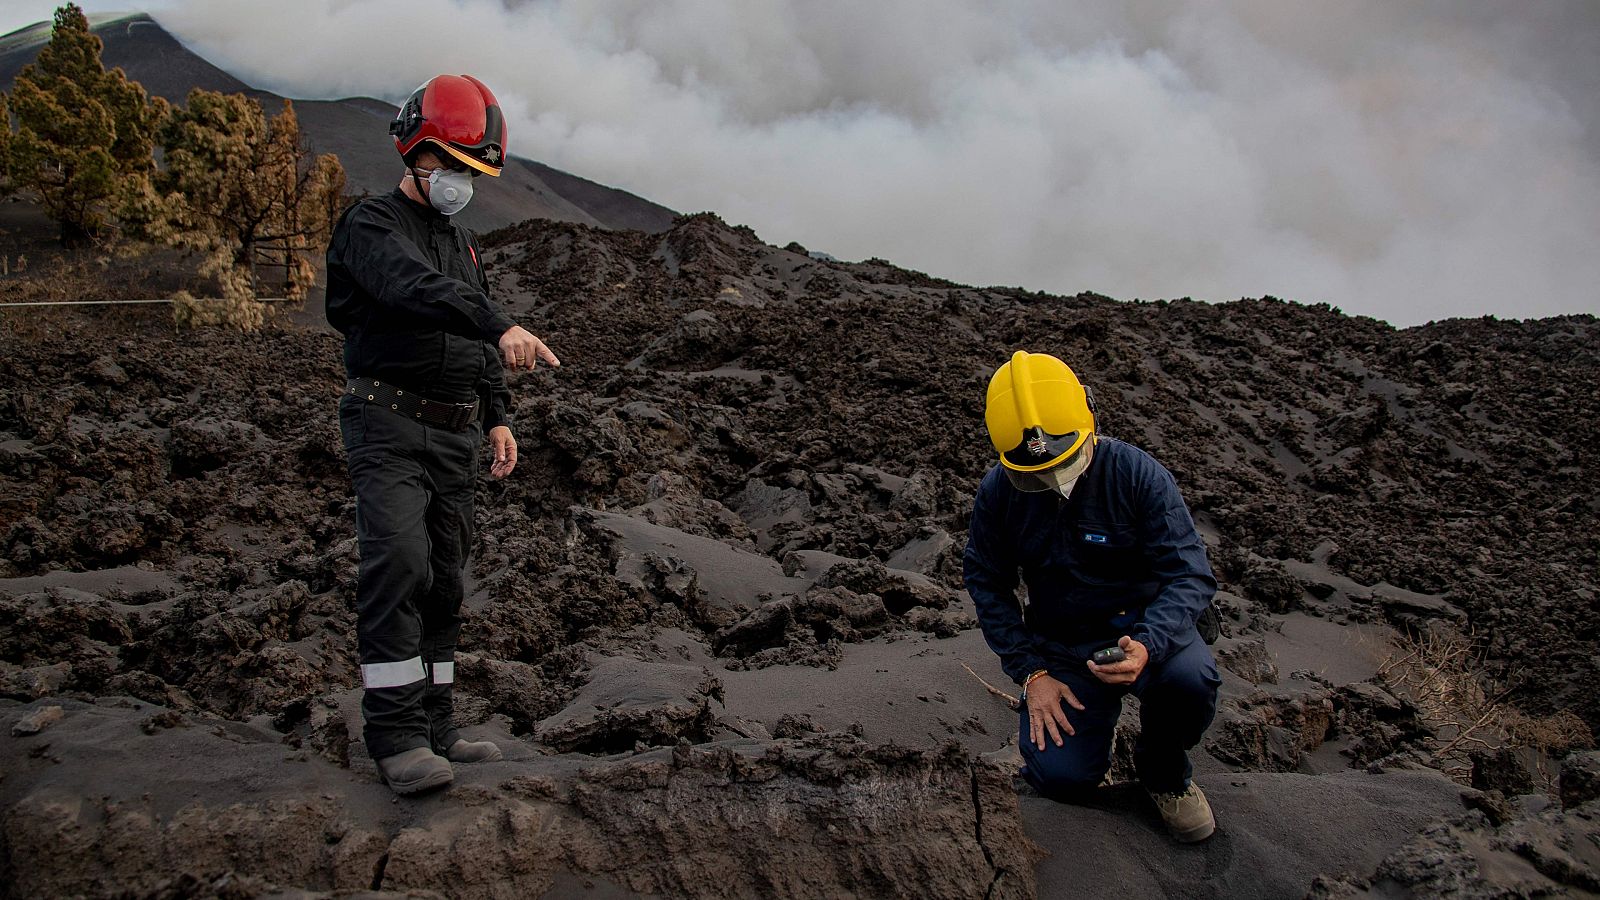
423	352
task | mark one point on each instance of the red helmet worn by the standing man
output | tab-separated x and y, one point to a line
457	115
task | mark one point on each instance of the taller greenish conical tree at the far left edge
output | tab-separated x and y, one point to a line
84	135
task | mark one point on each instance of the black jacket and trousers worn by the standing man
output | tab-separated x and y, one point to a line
407	289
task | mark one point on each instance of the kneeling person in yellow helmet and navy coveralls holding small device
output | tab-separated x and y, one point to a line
1113	563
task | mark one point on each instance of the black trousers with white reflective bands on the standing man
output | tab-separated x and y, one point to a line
414	520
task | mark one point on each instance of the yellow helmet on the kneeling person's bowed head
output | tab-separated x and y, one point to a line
1041	420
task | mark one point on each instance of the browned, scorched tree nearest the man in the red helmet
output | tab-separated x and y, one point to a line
246	191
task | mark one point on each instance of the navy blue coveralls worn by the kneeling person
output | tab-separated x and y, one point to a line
1119	558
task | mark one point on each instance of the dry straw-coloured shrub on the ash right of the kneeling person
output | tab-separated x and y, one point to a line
1446	678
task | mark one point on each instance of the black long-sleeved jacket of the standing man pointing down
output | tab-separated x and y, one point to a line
407	289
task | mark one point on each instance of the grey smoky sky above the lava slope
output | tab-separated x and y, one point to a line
1404	161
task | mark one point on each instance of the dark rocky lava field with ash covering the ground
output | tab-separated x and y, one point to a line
716	616
